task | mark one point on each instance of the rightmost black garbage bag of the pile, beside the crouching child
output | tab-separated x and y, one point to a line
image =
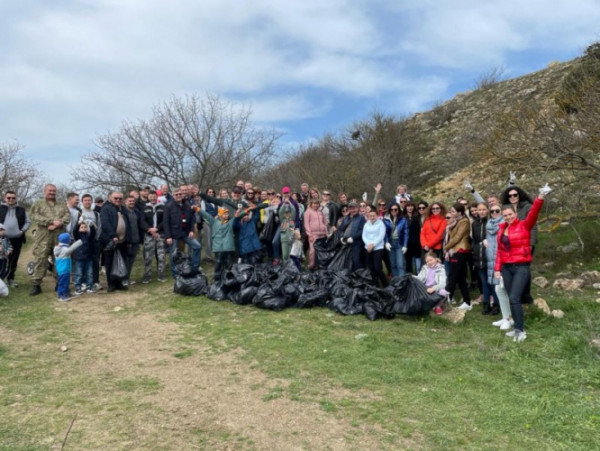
410	296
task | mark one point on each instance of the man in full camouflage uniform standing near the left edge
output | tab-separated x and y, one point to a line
51	218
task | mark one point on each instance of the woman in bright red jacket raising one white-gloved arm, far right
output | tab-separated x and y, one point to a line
514	257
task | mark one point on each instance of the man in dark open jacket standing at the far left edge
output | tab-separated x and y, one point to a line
16	222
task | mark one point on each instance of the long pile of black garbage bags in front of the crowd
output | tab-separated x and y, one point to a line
283	286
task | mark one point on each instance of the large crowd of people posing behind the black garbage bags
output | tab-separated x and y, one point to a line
490	242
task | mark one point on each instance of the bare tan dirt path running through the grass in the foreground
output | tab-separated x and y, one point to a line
204	401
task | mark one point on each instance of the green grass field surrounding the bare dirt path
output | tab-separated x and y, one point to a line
410	382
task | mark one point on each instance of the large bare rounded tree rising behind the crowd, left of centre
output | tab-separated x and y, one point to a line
190	140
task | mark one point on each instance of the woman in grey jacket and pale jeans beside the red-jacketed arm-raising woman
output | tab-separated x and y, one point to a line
491	246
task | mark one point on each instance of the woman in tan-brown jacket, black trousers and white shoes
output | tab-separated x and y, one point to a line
457	250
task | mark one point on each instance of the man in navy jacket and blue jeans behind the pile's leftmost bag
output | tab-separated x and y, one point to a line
178	224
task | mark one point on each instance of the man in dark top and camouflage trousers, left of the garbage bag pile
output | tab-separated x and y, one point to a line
154	238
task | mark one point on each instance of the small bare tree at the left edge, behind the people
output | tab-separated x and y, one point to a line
16	173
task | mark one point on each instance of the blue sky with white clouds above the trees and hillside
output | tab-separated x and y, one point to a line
73	70
